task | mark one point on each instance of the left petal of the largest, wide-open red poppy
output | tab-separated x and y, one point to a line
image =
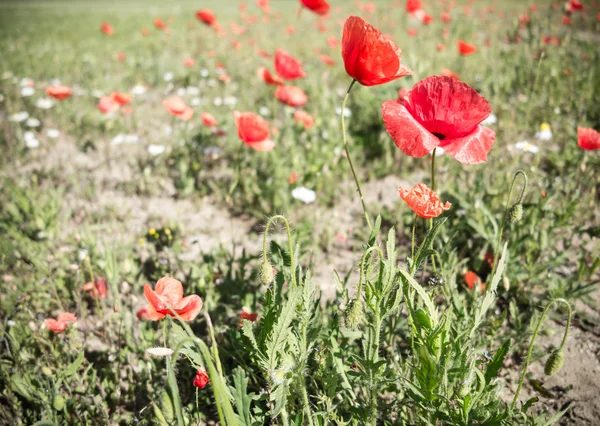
408	135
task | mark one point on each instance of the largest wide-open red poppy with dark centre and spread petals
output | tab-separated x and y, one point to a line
441	111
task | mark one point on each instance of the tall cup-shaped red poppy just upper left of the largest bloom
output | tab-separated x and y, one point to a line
370	58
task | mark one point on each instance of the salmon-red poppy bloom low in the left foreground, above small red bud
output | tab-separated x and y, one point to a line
169	295
